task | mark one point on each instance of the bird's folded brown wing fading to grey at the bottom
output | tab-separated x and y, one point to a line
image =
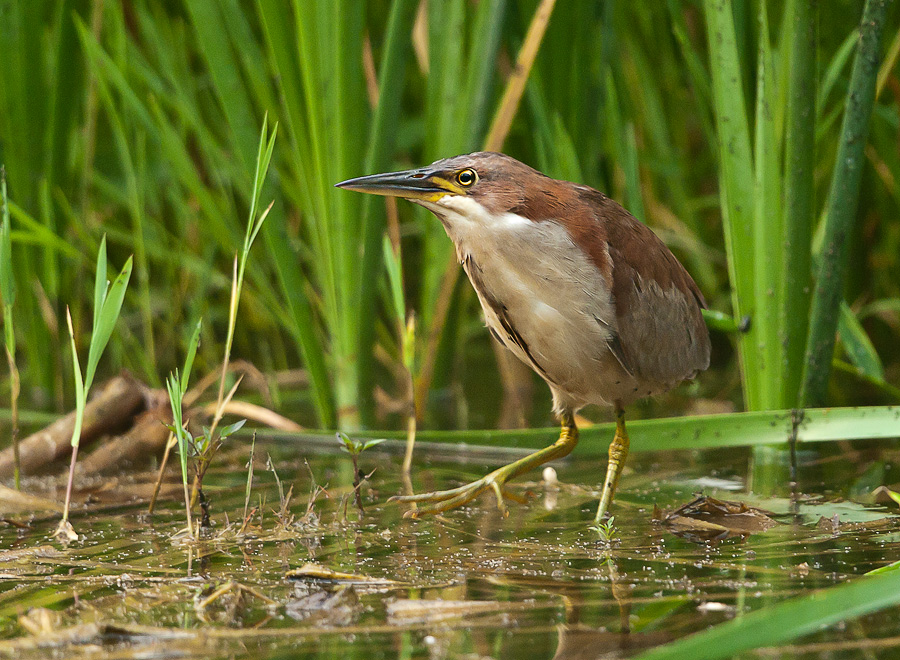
658	304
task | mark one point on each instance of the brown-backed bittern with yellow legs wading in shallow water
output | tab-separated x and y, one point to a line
572	284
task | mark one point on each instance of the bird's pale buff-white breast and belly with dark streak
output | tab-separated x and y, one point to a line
552	308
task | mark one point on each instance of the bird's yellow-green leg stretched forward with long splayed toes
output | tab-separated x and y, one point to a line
444	500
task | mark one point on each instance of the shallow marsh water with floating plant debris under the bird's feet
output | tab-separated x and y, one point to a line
538	584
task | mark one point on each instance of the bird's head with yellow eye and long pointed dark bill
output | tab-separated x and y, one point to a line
484	180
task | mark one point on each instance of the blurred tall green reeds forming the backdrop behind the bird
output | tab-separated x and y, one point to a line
140	120
